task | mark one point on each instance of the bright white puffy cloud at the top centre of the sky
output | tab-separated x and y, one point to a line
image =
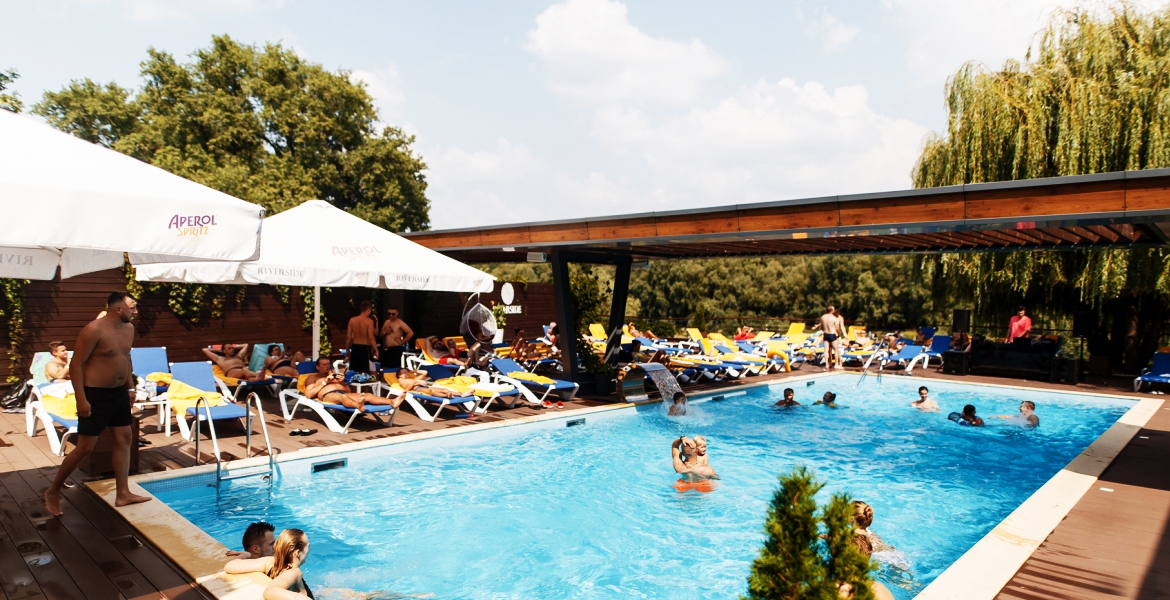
594	56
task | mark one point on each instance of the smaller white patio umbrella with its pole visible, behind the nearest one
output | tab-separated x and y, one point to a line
318	245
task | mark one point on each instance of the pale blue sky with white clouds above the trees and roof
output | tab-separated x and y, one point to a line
535	111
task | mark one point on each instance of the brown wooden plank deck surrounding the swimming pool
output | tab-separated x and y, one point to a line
1113	544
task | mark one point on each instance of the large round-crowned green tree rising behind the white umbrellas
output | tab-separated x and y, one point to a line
259	123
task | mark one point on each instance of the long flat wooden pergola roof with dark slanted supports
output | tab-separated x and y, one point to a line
1123	210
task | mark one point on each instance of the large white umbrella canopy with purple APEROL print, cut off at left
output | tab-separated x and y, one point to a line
80	206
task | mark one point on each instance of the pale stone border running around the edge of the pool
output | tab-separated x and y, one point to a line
981	573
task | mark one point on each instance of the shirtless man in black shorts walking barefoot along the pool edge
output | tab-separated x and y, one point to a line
105	388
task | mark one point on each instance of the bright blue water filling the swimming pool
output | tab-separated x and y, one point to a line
589	512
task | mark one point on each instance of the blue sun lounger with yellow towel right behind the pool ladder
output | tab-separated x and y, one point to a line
192	382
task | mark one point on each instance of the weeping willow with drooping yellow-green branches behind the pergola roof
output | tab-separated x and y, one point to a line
1092	96
